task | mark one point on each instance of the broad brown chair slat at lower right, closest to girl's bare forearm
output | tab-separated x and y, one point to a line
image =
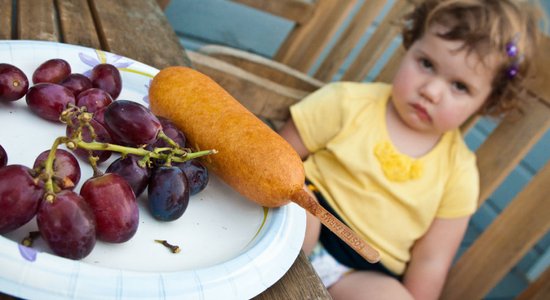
503	243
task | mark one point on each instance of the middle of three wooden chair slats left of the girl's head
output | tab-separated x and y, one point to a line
356	29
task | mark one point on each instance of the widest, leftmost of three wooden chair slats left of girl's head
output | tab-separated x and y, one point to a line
305	43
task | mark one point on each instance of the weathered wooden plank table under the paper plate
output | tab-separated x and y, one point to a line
137	29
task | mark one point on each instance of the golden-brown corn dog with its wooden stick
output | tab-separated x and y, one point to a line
253	159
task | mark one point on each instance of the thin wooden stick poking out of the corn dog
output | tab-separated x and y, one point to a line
303	198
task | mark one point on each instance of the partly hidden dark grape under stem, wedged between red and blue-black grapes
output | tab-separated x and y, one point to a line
128	168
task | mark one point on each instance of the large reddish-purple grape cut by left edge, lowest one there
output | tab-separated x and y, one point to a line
20	196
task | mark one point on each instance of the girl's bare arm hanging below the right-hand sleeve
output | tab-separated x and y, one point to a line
432	256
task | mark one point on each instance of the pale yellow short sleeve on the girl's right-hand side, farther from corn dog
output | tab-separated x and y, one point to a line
461	194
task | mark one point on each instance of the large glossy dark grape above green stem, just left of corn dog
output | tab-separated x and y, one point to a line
131	123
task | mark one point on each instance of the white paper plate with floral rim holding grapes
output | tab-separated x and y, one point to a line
231	248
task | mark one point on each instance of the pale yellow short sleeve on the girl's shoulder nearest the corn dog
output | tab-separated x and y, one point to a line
318	117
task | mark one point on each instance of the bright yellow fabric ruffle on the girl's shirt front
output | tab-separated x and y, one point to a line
396	166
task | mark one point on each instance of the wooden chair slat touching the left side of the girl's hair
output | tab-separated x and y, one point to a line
377	45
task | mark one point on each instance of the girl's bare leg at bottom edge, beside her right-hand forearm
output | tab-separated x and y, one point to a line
368	285
